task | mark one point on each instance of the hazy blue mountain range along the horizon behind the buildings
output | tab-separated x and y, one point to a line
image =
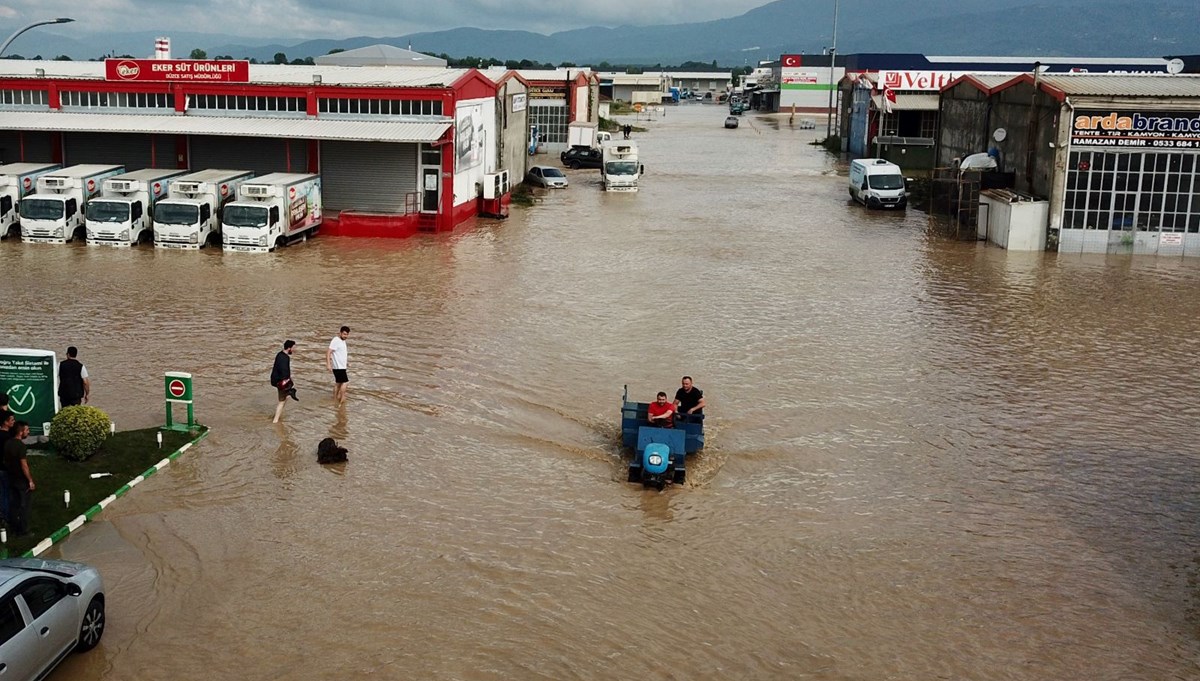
999	28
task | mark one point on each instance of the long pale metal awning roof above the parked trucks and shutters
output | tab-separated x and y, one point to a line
298	129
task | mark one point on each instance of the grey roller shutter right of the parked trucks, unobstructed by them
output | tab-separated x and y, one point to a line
368	176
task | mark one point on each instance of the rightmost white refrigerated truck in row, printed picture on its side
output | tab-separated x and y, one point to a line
272	212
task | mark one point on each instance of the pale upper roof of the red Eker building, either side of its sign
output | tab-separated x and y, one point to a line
265	74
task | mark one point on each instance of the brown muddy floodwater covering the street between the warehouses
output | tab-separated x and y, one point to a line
927	460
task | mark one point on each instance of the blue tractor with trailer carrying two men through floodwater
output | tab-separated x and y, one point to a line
659	454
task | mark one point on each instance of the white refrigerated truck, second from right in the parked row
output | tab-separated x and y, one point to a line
190	216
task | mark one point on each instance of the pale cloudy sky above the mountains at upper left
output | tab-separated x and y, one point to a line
322	19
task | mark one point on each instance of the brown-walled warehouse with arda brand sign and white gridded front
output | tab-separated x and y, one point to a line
1118	156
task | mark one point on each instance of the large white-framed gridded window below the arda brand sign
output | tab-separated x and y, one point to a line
1133	191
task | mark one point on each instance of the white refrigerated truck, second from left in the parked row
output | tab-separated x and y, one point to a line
55	215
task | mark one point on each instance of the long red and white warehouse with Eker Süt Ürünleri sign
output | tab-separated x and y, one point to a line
400	149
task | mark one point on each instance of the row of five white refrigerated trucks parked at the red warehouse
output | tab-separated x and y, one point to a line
173	209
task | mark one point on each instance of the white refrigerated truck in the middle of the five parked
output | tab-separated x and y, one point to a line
122	214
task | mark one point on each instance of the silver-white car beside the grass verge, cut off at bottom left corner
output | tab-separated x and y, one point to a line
49	608
